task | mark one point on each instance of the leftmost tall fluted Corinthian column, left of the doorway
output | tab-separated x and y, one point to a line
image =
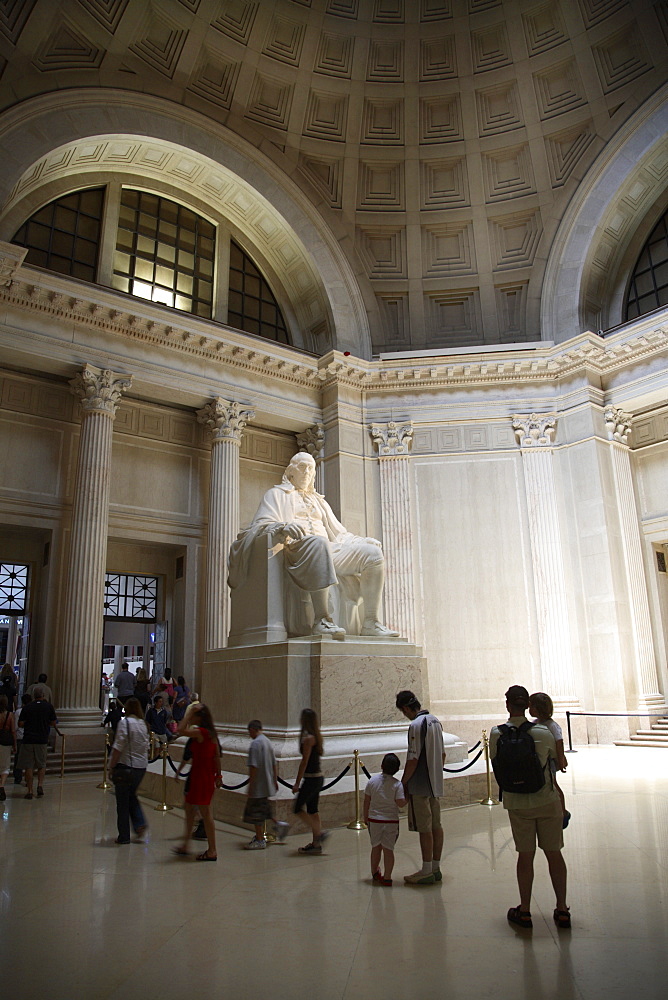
79	680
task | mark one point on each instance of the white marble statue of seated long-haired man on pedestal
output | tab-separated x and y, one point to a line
318	551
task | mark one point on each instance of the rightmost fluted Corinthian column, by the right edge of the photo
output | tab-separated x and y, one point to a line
618	427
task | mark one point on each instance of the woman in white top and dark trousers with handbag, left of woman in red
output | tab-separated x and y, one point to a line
128	762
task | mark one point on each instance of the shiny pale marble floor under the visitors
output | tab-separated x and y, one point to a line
82	917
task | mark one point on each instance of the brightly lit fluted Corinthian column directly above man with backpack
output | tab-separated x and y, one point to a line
534	435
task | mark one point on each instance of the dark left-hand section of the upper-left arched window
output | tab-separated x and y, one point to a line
64	235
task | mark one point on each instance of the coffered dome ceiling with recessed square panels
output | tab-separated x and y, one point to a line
441	141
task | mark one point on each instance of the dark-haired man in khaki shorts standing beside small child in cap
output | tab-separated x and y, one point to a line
423	785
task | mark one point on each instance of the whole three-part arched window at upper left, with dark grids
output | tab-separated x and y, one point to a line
161	251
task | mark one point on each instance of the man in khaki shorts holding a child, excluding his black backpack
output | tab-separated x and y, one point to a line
534	816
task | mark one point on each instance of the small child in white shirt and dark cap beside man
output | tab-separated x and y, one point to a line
383	797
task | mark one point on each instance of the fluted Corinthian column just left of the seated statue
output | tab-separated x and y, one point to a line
226	421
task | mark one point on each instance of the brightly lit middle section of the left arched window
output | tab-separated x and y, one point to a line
165	253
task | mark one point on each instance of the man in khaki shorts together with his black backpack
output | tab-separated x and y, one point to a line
520	753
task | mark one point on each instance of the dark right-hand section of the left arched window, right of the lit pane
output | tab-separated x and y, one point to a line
251	304
